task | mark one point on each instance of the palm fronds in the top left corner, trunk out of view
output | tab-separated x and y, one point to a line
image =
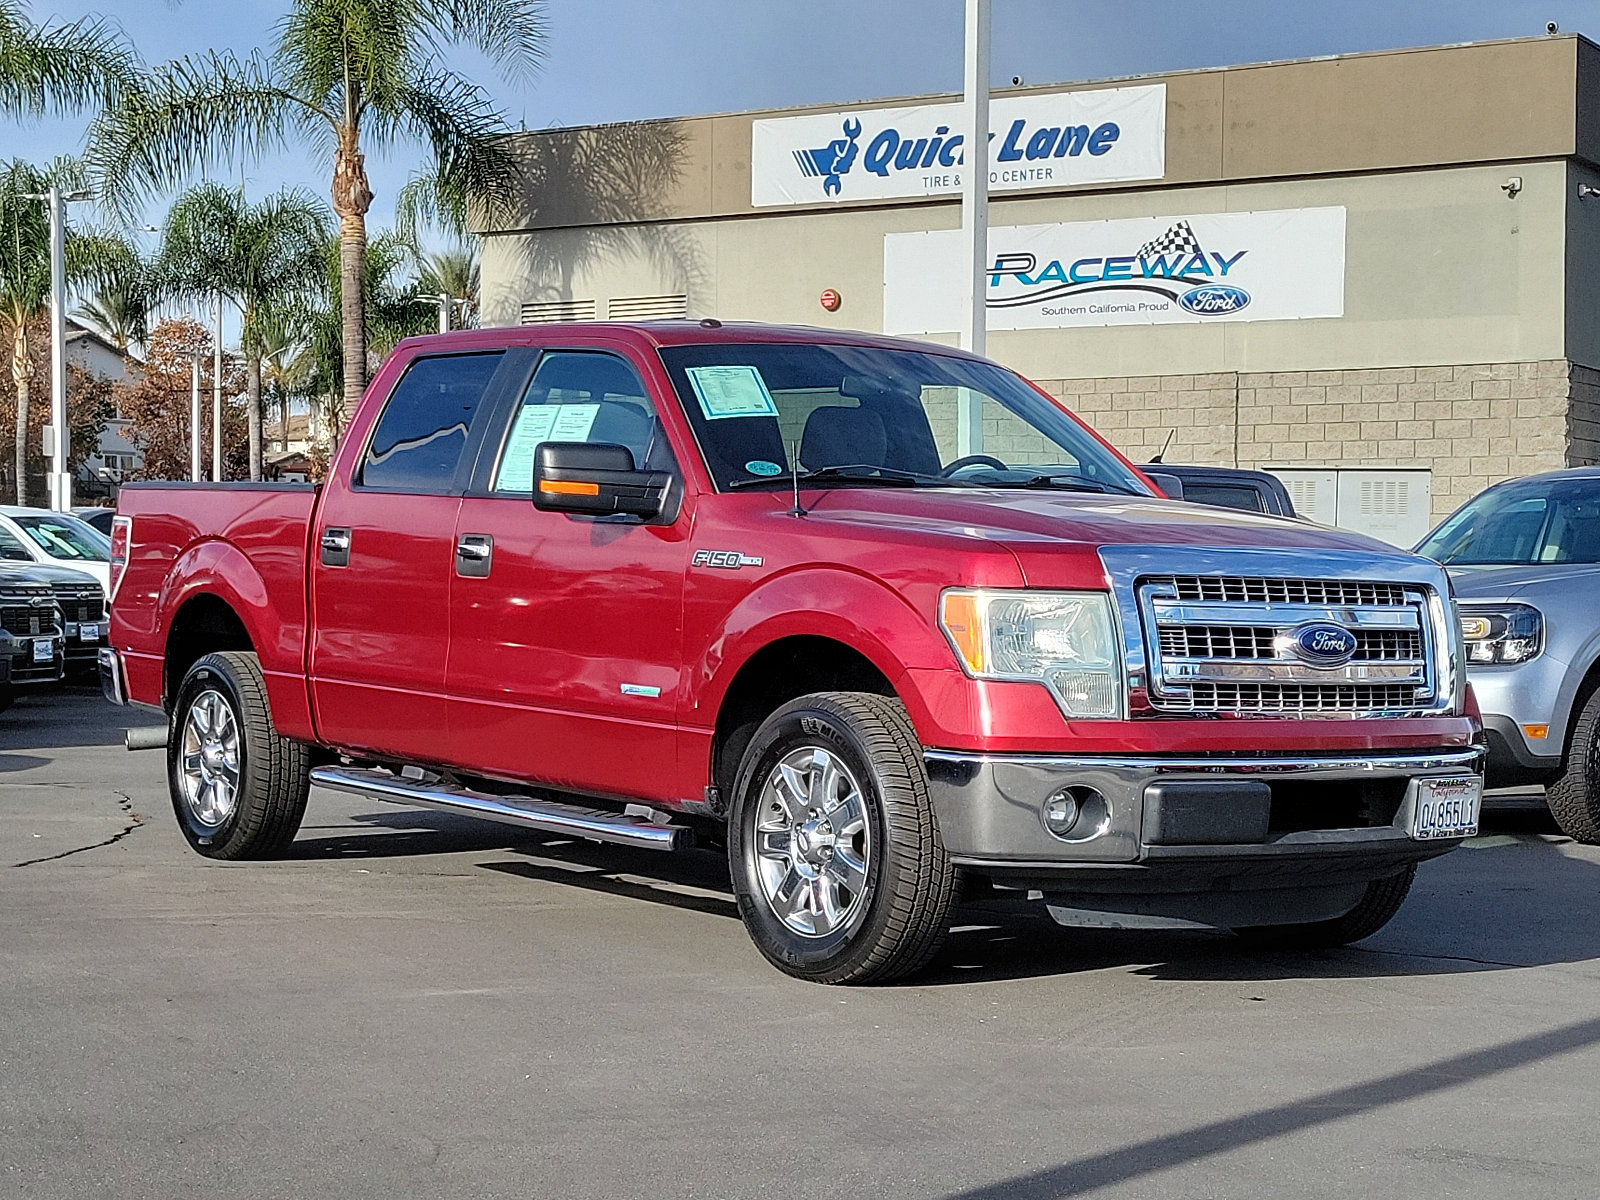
60	68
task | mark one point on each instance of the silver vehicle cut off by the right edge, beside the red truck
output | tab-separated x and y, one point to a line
1526	562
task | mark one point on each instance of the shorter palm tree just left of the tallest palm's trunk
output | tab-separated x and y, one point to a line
257	255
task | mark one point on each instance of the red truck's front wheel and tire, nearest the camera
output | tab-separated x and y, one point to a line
834	847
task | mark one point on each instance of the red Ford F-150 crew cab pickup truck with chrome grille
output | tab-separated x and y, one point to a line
878	617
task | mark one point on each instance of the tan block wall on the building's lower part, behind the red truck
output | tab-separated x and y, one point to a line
1474	425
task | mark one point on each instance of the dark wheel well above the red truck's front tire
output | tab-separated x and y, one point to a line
777	674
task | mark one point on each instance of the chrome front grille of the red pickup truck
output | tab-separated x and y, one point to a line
1231	644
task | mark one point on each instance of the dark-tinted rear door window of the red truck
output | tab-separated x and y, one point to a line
425	425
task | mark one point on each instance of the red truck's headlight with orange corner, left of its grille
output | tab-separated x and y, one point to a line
1065	641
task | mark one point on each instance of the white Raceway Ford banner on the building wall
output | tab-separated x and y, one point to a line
1286	265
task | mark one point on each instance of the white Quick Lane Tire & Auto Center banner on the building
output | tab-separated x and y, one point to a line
1036	142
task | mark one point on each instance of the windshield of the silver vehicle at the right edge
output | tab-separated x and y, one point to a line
1524	524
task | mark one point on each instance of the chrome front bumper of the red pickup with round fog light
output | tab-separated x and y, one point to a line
1214	814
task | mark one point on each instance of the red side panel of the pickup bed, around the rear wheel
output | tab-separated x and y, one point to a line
244	545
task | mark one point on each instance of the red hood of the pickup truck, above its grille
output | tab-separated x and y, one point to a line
1049	530
